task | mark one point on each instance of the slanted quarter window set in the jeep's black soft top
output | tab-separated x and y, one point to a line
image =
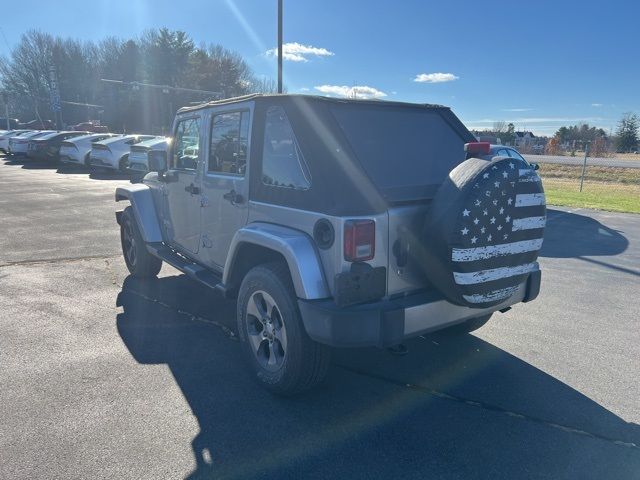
282	162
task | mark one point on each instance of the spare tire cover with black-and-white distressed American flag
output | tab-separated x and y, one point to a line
484	231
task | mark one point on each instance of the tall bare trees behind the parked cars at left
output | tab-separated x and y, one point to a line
159	56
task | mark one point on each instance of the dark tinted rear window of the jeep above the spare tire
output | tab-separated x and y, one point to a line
400	147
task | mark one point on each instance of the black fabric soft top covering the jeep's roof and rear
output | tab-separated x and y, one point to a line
343	181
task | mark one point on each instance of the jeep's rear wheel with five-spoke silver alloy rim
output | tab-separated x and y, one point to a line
282	356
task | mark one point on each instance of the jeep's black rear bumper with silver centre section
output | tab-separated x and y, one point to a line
389	322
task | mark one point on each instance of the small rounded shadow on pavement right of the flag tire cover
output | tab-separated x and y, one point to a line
569	235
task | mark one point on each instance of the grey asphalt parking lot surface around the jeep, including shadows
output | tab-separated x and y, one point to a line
104	376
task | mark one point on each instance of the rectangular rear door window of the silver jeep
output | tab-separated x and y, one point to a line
229	143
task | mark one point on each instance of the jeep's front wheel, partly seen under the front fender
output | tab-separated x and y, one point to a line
139	261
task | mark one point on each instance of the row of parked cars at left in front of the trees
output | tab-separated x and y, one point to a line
123	152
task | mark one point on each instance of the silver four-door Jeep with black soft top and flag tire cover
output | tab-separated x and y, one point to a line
336	223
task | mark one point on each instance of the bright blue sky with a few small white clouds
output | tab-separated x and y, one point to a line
539	64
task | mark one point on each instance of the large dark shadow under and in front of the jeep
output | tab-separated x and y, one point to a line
454	407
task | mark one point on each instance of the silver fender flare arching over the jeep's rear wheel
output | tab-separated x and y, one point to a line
295	246
